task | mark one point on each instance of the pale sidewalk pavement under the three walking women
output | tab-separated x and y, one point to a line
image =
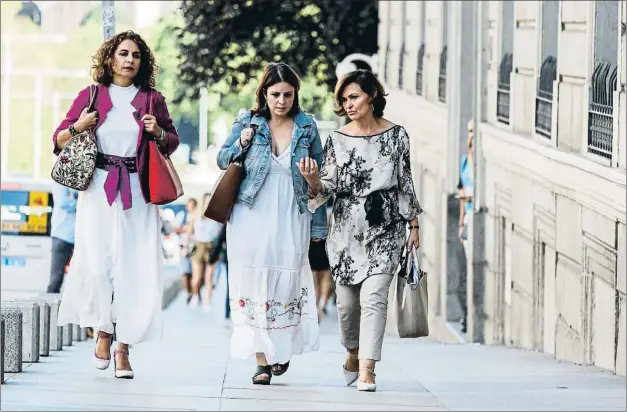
191	370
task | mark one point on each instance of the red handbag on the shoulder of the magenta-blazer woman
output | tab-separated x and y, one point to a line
164	183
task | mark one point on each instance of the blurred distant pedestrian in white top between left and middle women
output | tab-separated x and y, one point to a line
202	232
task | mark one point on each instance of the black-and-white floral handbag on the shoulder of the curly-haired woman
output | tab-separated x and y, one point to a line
76	163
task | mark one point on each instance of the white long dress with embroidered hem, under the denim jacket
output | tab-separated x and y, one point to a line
272	296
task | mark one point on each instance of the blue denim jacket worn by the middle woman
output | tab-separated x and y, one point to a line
305	142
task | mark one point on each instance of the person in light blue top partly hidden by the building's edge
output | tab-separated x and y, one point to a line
465	214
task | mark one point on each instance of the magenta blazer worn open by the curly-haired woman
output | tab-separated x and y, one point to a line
104	104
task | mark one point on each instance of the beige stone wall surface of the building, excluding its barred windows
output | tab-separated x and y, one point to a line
554	242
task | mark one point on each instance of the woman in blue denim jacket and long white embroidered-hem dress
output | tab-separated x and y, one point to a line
270	282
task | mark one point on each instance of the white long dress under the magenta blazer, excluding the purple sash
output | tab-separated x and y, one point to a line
116	271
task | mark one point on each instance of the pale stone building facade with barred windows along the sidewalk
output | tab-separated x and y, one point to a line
545	81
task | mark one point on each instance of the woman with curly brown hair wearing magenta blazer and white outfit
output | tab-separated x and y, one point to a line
116	272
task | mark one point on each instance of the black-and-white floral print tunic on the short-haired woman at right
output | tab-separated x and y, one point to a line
353	168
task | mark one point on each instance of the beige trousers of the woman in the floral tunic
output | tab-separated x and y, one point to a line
362	312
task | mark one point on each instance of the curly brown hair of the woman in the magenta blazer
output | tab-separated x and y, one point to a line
101	68
